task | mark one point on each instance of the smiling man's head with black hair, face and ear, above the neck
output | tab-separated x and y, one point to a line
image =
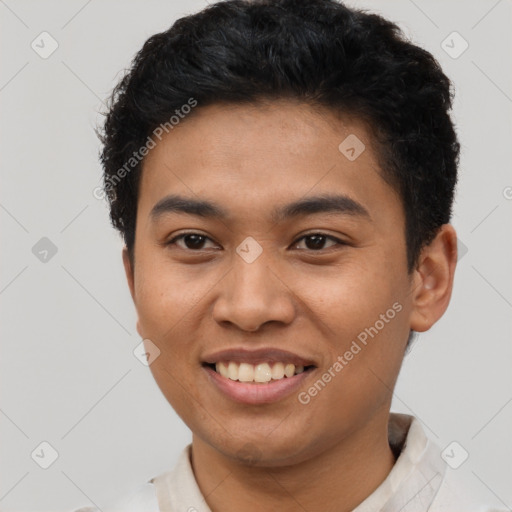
307	150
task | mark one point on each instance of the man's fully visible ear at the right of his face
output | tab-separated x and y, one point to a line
432	282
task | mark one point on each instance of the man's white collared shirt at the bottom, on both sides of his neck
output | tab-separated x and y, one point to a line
420	481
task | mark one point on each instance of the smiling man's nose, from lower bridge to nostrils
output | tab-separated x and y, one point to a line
253	294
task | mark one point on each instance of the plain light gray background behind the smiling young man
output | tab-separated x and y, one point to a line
68	374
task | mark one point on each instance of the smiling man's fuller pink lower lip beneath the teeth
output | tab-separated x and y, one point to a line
257	393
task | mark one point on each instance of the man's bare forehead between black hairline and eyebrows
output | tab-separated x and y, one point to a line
251	156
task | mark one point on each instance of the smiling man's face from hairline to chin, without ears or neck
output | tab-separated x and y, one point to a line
299	258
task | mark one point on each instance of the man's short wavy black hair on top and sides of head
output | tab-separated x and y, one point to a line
319	52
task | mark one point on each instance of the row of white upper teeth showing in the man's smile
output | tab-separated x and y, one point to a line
263	372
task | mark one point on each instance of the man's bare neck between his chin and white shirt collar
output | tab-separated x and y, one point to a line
337	479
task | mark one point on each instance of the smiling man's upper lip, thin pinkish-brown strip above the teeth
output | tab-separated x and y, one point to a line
257	356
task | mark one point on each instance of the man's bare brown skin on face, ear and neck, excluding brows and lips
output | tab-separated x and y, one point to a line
333	452
